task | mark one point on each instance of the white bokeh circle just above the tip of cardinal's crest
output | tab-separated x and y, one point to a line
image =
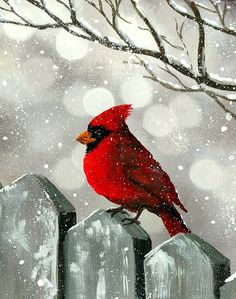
137	91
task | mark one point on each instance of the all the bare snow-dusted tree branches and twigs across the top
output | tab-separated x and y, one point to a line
174	67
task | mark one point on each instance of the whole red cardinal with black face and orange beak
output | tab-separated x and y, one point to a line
120	168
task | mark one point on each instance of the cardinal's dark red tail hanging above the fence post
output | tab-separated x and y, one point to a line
172	220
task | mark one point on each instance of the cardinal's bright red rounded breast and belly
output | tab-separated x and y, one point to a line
106	172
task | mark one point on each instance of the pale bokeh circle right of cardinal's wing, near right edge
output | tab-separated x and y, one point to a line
206	174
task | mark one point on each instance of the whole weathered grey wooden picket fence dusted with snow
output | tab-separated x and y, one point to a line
44	254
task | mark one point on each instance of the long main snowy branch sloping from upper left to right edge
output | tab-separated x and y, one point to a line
89	34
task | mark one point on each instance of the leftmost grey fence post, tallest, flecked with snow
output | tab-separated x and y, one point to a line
34	217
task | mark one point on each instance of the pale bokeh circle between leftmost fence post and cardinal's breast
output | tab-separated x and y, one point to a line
67	176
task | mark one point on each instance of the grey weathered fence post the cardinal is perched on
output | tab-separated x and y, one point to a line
104	258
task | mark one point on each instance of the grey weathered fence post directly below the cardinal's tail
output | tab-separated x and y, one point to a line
185	267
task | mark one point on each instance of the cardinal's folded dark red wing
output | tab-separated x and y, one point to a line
143	170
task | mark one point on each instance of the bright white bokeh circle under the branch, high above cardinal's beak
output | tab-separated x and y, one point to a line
71	47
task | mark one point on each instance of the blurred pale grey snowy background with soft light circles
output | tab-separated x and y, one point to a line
52	84
